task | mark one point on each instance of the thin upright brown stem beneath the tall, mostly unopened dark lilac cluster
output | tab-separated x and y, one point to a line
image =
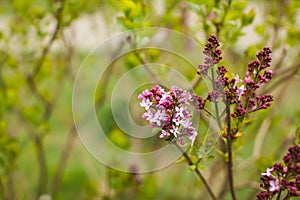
229	150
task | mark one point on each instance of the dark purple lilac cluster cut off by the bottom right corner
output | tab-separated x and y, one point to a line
282	179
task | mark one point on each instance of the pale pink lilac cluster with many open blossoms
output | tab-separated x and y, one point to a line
168	110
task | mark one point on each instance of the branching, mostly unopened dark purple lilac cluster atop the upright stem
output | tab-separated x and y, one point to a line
242	94
